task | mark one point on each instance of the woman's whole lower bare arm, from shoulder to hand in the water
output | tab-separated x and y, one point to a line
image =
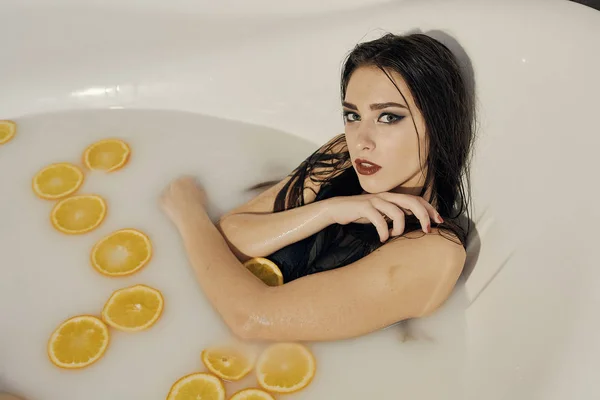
403	279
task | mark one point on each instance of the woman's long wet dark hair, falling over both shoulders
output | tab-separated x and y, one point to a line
442	95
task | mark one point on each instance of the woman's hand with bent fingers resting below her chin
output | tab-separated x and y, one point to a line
373	208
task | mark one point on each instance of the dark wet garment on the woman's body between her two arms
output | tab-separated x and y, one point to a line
322	251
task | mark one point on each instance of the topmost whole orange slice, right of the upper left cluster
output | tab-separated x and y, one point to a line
106	155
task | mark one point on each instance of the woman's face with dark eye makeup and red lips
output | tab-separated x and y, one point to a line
381	135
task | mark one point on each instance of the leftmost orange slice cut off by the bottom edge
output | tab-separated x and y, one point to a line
198	386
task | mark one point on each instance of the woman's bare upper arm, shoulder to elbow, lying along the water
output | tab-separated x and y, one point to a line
406	278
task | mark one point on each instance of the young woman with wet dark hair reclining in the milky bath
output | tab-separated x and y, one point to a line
366	229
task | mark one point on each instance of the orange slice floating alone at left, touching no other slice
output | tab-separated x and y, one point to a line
121	253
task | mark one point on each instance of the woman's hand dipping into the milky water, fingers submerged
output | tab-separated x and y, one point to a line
182	198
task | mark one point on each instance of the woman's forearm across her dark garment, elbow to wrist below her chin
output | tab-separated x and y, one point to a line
258	235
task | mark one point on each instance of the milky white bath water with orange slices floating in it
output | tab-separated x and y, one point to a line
45	276
